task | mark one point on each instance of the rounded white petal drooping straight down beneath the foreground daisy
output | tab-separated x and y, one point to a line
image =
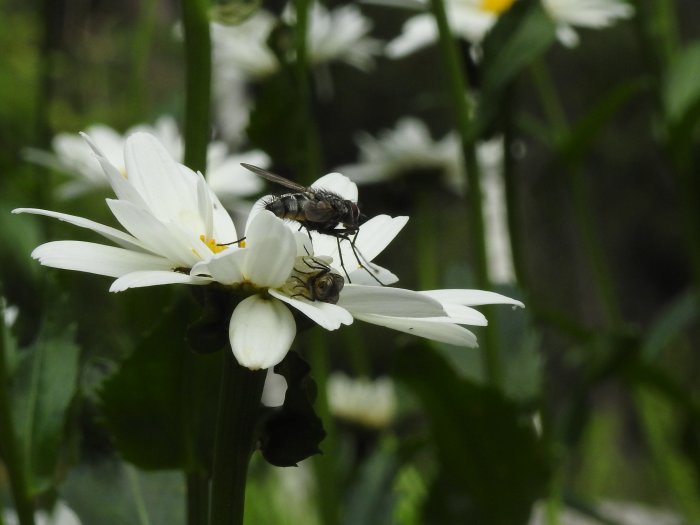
261	332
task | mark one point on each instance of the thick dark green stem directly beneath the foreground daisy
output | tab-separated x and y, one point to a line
239	405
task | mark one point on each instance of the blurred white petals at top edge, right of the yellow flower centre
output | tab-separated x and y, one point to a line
591	14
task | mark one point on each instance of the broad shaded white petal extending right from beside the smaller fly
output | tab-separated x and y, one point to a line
361	299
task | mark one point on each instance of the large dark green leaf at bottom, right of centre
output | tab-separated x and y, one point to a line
492	467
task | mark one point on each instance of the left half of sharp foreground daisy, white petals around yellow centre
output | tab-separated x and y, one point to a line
172	220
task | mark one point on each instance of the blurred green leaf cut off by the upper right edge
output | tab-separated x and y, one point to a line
681	91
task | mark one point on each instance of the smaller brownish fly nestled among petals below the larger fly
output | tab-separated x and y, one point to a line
313	279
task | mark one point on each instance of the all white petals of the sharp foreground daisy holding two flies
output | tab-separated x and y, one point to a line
178	232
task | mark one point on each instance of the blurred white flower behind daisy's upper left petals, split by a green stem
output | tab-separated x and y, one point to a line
72	155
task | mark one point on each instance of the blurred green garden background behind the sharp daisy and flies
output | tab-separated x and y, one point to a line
587	157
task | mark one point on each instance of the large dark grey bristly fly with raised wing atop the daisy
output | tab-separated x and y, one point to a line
317	210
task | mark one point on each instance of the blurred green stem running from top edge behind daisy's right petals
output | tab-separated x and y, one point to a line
458	93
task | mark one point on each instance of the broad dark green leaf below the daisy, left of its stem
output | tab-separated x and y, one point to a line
160	407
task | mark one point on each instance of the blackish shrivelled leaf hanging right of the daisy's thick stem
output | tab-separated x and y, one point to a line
292	432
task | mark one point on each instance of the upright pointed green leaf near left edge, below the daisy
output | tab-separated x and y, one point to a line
44	385
